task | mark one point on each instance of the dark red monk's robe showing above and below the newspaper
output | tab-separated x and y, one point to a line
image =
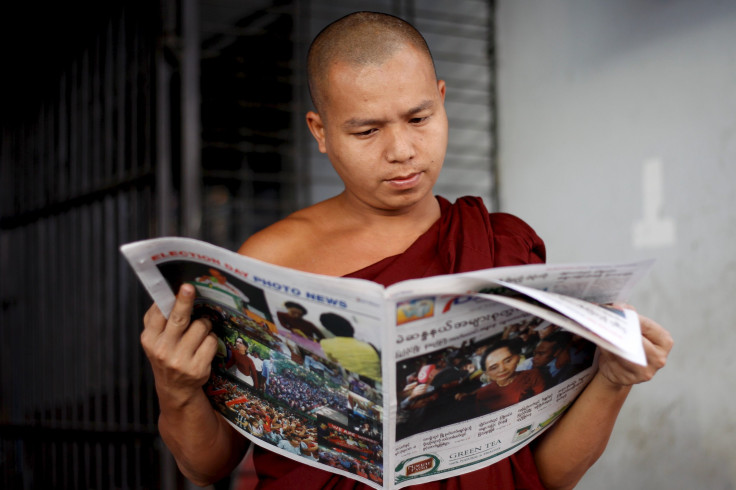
465	238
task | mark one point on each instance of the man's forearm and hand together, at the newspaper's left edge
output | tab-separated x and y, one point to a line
205	446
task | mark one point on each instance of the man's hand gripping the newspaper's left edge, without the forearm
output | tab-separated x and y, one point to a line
180	351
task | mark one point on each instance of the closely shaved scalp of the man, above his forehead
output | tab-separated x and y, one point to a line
358	39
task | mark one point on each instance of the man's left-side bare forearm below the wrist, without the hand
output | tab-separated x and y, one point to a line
205	446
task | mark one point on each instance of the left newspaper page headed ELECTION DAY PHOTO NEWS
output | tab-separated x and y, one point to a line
298	368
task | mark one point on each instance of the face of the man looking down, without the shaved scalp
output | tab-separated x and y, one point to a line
384	129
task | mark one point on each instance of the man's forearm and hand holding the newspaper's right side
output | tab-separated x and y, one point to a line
577	440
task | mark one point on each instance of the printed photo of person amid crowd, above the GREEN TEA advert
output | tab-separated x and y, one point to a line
479	377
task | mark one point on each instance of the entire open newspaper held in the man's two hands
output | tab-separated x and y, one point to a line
419	381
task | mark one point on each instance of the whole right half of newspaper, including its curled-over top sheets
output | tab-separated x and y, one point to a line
468	365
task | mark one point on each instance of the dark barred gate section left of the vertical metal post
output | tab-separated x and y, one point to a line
78	178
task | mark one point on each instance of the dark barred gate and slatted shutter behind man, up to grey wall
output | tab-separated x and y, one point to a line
110	135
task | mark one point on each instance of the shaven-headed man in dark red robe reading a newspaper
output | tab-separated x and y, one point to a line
380	118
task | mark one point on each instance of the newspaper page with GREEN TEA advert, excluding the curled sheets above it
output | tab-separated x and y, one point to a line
476	381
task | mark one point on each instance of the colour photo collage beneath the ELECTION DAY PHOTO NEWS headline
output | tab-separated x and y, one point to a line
297	380
